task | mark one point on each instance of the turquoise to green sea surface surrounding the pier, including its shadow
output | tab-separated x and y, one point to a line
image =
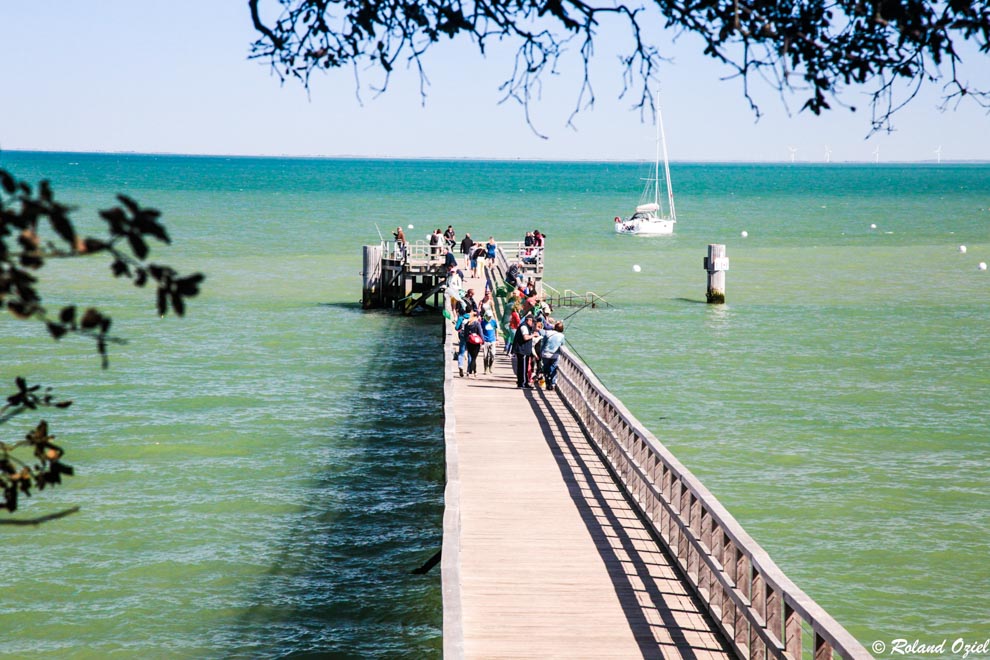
261	477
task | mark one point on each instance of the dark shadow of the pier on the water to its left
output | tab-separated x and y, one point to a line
343	583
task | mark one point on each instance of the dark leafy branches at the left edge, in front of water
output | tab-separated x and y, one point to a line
26	216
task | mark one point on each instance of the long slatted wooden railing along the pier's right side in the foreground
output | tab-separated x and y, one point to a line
761	612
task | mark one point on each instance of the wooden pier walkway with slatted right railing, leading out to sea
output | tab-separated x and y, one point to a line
570	531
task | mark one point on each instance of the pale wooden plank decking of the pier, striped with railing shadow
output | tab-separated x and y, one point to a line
552	560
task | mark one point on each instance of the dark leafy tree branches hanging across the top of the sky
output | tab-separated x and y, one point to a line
815	49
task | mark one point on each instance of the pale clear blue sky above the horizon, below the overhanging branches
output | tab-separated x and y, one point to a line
173	76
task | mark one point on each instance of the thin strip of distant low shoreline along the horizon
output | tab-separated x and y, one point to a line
482	159
